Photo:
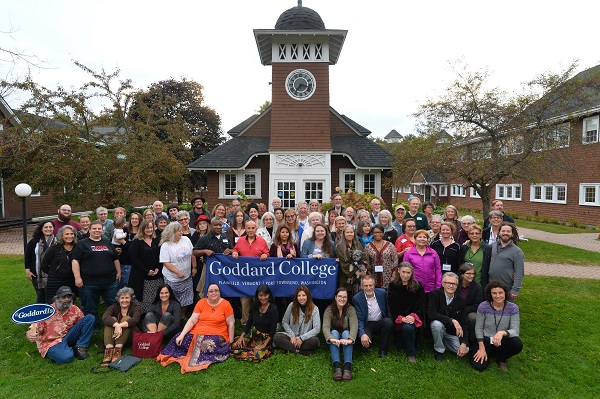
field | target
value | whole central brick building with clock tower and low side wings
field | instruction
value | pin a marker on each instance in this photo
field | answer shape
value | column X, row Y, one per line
column 300, row 148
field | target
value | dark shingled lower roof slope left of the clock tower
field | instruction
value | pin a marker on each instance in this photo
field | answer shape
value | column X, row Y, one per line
column 232, row 154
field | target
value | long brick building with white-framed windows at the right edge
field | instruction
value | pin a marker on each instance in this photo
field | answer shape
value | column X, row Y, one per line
column 574, row 190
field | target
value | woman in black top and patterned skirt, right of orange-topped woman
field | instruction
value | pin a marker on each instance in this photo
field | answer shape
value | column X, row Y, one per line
column 255, row 343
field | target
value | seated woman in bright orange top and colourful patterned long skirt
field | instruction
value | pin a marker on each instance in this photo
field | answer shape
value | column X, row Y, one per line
column 205, row 338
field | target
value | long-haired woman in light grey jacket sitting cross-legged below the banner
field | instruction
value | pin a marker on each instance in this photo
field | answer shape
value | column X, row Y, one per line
column 301, row 323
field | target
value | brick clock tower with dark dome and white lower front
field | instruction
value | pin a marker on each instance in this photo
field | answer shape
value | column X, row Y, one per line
column 300, row 50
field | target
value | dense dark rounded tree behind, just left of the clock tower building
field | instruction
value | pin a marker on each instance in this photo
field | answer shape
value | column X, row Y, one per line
column 185, row 125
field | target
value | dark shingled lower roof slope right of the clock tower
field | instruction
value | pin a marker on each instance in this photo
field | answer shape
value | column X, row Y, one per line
column 364, row 152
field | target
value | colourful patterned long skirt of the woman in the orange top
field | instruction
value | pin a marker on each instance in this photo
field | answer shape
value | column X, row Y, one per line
column 195, row 353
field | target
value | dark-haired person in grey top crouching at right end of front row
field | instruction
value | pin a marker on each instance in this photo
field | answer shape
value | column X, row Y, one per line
column 497, row 328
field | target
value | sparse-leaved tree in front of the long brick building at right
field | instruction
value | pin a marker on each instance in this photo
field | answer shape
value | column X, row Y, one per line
column 496, row 134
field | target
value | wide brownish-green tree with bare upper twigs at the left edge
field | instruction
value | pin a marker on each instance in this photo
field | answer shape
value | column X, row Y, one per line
column 67, row 147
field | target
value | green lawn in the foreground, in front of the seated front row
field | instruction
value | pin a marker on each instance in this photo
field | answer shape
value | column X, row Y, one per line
column 560, row 359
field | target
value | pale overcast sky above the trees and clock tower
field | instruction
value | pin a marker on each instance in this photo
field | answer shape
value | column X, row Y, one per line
column 397, row 54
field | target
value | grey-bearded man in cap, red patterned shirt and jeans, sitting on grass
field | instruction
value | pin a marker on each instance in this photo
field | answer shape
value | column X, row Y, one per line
column 67, row 328
